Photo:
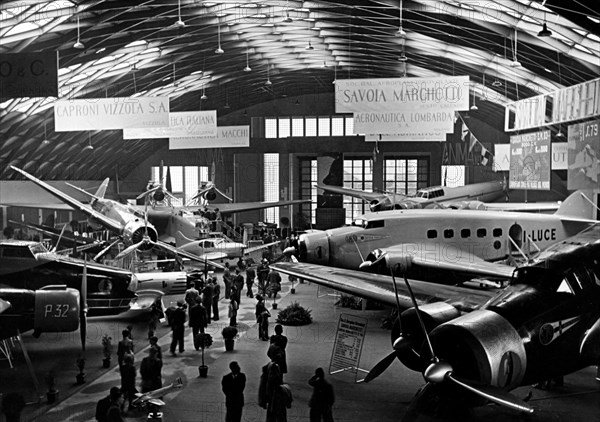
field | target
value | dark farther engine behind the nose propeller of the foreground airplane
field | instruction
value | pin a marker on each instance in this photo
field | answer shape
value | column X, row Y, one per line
column 412, row 338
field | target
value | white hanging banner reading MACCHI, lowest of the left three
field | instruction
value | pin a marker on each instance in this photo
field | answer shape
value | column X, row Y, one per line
column 227, row 137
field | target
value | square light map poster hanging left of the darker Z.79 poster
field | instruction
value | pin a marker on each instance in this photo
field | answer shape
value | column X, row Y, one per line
column 530, row 161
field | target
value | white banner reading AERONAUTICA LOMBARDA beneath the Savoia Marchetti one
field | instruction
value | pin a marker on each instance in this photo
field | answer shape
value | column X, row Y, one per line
column 408, row 123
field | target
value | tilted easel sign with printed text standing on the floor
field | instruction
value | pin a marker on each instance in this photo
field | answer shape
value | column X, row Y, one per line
column 347, row 347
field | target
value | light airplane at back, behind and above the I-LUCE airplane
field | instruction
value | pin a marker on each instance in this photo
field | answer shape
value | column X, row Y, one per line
column 462, row 197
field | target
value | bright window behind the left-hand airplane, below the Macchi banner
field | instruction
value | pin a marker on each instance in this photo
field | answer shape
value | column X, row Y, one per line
column 184, row 180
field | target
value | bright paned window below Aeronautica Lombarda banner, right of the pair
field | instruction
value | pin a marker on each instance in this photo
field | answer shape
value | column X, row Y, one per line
column 406, row 175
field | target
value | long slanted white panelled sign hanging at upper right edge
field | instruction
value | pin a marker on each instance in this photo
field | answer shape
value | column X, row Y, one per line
column 575, row 102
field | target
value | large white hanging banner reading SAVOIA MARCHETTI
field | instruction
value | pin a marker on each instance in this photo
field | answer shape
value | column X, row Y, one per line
column 402, row 94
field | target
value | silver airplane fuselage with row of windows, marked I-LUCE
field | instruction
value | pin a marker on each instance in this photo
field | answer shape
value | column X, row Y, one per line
column 436, row 235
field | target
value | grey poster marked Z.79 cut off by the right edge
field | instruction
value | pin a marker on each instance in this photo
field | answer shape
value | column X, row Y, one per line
column 584, row 156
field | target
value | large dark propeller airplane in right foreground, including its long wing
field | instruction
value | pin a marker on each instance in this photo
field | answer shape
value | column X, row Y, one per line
column 474, row 346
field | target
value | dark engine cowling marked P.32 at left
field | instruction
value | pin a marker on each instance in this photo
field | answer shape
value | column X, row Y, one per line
column 56, row 309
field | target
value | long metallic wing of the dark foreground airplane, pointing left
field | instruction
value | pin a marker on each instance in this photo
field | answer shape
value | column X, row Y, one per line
column 381, row 289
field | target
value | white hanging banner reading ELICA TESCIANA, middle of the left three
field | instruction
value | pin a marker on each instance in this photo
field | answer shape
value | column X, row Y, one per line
column 181, row 124
